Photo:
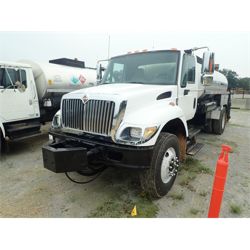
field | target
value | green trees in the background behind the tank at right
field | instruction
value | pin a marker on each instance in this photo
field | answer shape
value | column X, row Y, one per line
column 234, row 81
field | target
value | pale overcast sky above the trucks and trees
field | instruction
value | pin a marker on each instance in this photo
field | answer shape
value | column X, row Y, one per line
column 232, row 49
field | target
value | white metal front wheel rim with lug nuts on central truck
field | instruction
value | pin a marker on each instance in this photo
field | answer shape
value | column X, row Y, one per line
column 169, row 165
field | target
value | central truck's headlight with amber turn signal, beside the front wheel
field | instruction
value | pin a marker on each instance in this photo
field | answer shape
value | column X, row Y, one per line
column 136, row 134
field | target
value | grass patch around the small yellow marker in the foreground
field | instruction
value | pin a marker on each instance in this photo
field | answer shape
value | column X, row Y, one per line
column 121, row 207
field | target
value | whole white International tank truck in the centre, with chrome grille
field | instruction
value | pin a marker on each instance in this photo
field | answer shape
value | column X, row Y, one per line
column 144, row 115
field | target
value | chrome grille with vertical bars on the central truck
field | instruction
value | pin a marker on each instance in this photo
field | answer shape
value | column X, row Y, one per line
column 96, row 116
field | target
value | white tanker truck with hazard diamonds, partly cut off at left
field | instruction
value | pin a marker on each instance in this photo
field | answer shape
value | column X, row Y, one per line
column 30, row 93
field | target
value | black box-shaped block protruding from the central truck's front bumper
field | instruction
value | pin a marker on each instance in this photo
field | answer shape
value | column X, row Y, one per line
column 59, row 158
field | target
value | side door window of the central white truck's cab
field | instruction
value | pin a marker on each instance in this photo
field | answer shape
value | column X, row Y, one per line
column 188, row 70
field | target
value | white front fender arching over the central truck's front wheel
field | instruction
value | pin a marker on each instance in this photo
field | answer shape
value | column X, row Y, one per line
column 155, row 115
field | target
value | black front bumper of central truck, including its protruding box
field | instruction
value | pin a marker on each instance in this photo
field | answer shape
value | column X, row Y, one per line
column 73, row 153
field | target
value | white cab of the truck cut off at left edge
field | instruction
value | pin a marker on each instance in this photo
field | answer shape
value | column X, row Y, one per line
column 18, row 100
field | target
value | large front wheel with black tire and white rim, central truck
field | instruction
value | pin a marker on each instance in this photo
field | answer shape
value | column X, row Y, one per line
column 159, row 178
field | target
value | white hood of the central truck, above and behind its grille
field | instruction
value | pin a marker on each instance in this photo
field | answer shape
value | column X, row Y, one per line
column 141, row 99
